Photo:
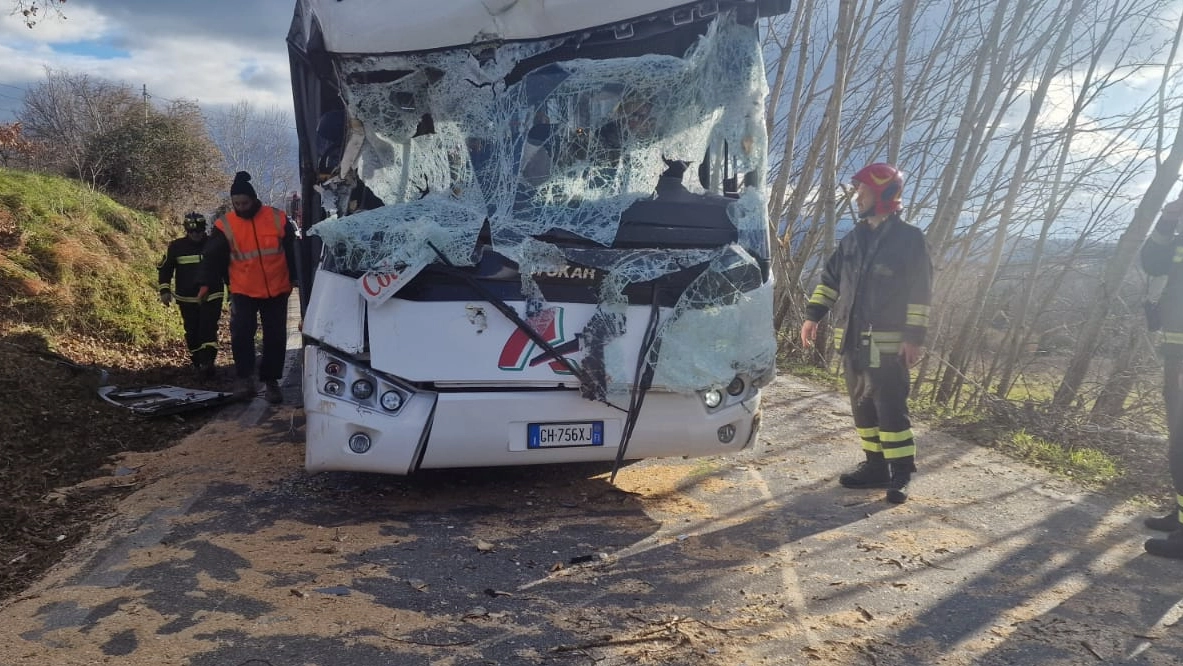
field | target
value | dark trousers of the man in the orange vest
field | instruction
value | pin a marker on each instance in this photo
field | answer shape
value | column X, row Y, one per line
column 245, row 316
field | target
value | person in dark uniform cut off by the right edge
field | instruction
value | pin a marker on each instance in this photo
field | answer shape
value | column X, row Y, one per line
column 1162, row 256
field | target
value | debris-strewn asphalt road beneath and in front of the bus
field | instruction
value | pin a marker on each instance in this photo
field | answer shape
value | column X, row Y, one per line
column 230, row 555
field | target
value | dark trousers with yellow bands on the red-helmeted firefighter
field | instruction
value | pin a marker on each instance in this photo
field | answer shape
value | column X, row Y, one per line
column 880, row 404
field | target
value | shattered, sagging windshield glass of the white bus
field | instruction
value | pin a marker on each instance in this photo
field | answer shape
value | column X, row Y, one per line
column 551, row 152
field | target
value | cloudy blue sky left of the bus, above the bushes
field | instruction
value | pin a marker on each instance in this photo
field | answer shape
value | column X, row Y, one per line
column 217, row 53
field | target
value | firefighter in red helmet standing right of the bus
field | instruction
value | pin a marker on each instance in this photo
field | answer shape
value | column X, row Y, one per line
column 883, row 274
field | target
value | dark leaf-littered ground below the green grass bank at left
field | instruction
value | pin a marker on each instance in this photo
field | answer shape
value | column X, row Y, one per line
column 60, row 435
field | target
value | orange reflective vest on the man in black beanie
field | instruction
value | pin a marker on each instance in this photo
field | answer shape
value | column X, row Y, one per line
column 257, row 264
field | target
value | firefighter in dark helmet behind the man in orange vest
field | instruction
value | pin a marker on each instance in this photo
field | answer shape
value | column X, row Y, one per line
column 183, row 262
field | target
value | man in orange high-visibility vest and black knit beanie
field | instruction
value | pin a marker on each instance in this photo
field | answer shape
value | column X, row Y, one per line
column 254, row 245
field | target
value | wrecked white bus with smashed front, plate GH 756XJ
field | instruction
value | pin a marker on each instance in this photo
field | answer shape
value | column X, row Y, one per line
column 533, row 232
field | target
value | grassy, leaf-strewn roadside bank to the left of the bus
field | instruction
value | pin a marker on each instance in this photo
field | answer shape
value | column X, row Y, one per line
column 77, row 295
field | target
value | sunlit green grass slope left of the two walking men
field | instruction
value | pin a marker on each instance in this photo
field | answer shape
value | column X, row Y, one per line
column 75, row 263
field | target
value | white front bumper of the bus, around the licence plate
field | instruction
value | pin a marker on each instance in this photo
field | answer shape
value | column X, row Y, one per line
column 494, row 429
